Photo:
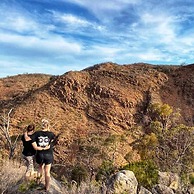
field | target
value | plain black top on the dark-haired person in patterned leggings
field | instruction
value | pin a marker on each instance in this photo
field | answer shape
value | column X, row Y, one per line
column 28, row 149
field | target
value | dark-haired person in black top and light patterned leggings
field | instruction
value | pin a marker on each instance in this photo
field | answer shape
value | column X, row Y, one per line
column 28, row 150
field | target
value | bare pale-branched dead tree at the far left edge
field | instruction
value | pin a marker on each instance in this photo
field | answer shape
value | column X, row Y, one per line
column 5, row 132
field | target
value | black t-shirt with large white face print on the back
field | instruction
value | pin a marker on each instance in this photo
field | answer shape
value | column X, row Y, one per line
column 43, row 139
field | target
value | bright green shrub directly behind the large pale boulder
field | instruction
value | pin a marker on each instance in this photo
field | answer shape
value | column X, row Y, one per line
column 145, row 171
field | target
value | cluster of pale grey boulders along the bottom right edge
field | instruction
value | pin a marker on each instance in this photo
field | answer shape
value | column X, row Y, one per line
column 126, row 182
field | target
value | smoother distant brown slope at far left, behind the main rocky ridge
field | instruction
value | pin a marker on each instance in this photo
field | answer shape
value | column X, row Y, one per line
column 15, row 89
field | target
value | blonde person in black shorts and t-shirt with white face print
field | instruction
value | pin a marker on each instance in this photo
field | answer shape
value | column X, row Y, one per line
column 42, row 142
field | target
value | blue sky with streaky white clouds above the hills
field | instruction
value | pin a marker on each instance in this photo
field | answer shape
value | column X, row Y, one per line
column 56, row 36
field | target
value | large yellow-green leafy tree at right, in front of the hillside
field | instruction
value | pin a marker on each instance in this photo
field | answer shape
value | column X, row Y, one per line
column 169, row 144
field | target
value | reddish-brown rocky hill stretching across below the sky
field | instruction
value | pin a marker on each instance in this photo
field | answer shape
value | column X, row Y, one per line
column 101, row 100
